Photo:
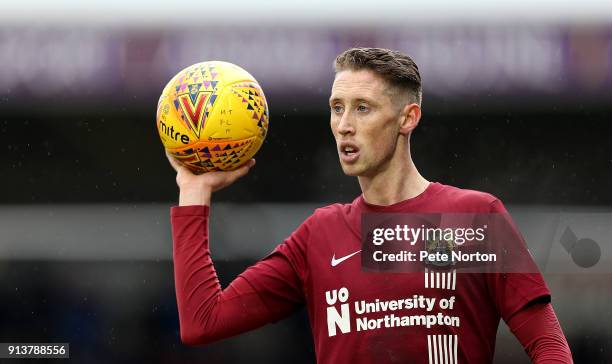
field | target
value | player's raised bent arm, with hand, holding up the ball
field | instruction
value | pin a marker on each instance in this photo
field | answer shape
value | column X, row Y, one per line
column 264, row 293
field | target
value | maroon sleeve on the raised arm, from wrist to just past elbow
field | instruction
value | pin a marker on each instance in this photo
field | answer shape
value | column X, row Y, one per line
column 207, row 313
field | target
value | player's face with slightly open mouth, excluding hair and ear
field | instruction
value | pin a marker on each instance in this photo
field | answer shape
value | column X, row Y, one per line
column 364, row 120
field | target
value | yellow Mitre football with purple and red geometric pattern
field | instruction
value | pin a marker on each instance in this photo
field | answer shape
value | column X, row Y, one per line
column 212, row 116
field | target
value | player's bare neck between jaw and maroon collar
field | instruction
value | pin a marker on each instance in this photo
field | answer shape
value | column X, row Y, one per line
column 395, row 184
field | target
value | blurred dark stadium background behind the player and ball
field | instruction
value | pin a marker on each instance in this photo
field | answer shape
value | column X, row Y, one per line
column 517, row 102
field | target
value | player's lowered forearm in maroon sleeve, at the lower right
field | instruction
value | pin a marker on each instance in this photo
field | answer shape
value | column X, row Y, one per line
column 538, row 330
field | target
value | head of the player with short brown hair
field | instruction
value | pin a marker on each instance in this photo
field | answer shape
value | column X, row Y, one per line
column 375, row 104
